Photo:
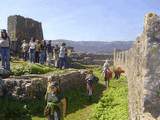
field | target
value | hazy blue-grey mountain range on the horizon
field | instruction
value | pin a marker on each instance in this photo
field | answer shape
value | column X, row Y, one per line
column 96, row 47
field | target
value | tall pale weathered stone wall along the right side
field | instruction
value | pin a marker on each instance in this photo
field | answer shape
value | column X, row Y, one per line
column 142, row 66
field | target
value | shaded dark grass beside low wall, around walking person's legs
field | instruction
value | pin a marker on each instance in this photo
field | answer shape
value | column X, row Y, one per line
column 78, row 99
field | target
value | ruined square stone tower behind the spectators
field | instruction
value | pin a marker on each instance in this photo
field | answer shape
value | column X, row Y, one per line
column 20, row 28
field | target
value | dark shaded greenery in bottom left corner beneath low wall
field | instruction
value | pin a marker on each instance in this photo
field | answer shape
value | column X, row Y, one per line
column 13, row 109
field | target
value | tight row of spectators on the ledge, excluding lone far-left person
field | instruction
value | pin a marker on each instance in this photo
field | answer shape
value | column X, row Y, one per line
column 41, row 52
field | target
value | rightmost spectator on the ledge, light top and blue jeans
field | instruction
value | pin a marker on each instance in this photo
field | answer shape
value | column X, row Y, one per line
column 62, row 56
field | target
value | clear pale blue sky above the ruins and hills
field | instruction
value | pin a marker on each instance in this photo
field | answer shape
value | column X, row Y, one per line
column 96, row 20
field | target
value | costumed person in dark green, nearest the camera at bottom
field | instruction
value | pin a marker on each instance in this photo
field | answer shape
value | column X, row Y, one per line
column 56, row 103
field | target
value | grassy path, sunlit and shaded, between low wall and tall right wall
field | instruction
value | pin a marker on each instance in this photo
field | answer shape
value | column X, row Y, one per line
column 112, row 105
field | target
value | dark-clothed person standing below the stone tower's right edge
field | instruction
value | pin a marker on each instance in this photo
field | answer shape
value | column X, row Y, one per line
column 42, row 53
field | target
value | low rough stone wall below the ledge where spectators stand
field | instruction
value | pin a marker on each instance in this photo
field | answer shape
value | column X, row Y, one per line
column 34, row 86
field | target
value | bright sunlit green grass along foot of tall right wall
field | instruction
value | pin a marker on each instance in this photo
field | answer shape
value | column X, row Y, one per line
column 114, row 103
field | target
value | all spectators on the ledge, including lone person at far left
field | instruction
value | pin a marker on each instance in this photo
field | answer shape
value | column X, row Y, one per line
column 35, row 51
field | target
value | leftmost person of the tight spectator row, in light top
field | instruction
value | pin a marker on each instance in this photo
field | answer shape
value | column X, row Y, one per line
column 25, row 47
